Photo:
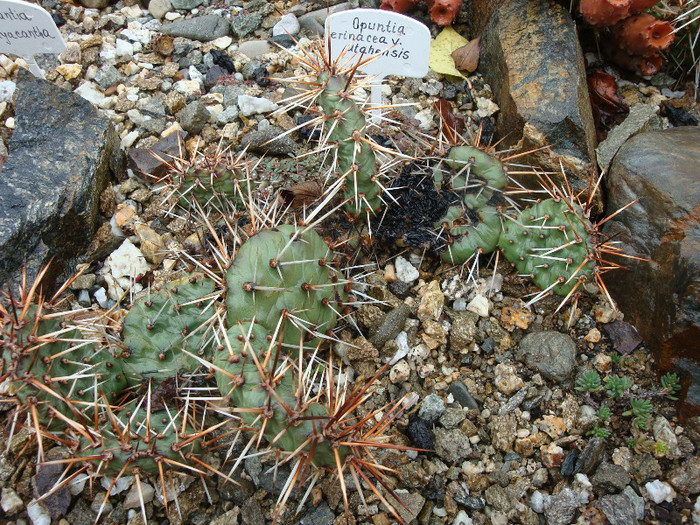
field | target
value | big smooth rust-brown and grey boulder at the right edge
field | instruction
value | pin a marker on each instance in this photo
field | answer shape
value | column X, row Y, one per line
column 660, row 296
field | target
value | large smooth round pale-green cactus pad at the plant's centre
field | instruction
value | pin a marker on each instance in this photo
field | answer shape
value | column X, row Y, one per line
column 274, row 276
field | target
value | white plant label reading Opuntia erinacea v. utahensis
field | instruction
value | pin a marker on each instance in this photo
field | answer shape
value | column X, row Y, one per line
column 386, row 43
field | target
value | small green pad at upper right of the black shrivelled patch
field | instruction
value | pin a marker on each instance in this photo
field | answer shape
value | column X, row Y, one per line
column 484, row 175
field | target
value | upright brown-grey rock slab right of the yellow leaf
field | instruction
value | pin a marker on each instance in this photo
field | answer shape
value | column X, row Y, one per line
column 531, row 58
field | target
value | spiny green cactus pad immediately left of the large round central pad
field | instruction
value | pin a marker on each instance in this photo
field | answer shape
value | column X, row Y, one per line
column 159, row 327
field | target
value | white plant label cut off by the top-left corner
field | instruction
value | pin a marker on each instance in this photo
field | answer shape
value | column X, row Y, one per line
column 27, row 29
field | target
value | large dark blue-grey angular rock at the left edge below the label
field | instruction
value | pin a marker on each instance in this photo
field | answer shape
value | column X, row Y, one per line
column 59, row 163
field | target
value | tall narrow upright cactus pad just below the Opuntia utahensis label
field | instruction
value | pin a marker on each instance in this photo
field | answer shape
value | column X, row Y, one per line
column 356, row 158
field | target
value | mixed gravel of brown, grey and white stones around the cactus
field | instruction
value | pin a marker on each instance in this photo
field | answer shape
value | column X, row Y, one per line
column 510, row 438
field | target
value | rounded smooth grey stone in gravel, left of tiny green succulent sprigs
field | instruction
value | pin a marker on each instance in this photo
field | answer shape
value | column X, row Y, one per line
column 553, row 354
